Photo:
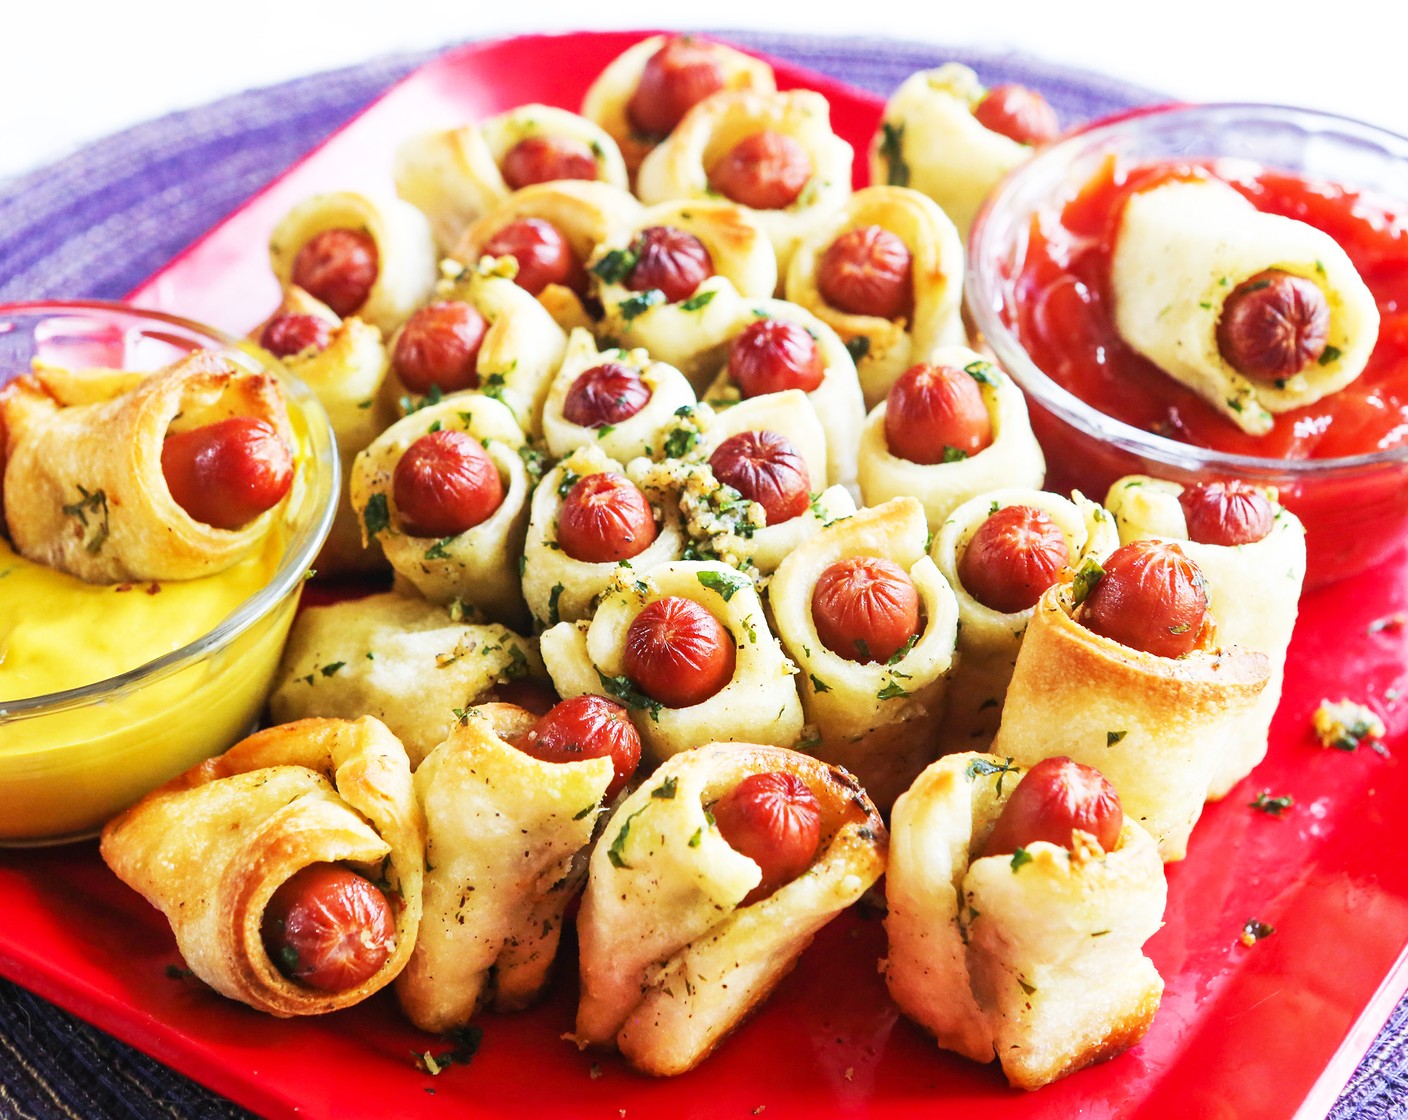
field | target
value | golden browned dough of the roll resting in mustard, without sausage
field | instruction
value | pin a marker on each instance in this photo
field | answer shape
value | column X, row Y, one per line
column 84, row 484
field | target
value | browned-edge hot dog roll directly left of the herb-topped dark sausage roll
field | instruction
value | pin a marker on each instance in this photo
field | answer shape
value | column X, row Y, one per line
column 551, row 230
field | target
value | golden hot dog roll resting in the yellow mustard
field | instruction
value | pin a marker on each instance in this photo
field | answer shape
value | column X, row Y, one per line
column 175, row 475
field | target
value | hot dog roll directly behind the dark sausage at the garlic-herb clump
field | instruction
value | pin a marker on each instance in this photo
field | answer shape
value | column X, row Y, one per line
column 777, row 347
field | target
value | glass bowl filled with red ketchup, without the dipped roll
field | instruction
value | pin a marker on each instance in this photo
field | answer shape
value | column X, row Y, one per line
column 1040, row 294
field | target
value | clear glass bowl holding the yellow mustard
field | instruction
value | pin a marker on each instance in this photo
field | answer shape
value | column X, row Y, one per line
column 71, row 760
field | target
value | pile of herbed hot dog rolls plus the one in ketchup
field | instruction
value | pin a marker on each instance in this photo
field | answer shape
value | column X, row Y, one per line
column 716, row 547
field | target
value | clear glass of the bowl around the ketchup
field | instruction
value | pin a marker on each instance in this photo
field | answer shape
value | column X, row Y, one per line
column 1355, row 508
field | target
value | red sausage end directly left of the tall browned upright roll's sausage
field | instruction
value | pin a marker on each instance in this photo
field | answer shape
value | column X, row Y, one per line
column 1012, row 559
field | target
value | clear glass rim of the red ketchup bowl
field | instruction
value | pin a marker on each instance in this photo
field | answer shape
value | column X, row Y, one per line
column 981, row 297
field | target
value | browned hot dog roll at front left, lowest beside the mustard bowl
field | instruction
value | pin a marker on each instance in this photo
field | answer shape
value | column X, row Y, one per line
column 254, row 854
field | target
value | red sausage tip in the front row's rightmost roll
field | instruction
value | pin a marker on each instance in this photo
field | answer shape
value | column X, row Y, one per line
column 1055, row 798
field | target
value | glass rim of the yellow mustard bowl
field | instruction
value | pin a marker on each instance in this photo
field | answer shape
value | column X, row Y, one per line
column 299, row 553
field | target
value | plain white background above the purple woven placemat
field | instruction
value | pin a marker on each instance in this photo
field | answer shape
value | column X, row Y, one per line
column 81, row 70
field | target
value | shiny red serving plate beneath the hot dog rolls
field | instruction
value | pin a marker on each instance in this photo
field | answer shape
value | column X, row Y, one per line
column 1265, row 1032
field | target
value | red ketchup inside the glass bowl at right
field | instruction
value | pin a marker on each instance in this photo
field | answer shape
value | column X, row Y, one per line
column 1061, row 309
